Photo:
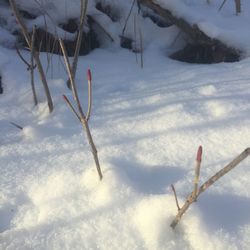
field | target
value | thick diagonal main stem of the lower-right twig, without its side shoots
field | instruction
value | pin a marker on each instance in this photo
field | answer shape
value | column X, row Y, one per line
column 191, row 198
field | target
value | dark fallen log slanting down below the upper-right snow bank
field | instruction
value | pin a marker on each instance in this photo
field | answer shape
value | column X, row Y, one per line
column 216, row 50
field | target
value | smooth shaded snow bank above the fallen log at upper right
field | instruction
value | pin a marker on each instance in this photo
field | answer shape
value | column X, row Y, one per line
column 223, row 24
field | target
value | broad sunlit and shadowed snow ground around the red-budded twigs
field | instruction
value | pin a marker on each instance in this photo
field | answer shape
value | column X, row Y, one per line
column 147, row 125
